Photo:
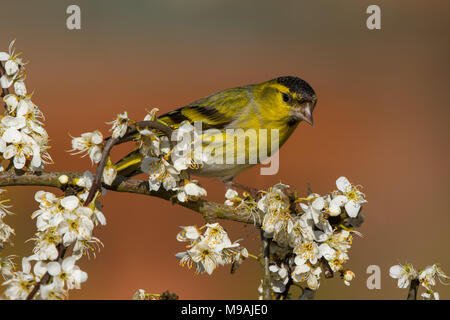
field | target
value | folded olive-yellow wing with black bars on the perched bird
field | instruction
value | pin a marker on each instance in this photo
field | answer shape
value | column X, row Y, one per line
column 215, row 111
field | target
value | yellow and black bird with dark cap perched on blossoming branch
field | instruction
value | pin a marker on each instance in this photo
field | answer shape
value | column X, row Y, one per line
column 280, row 104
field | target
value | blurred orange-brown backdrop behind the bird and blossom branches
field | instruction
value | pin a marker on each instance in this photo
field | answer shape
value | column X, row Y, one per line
column 381, row 120
